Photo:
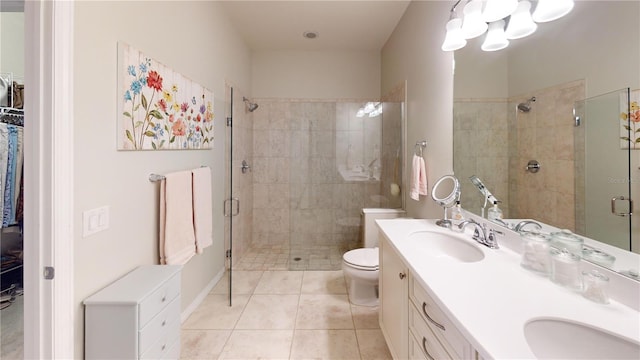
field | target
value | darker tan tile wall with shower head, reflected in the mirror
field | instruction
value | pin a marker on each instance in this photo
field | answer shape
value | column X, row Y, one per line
column 546, row 134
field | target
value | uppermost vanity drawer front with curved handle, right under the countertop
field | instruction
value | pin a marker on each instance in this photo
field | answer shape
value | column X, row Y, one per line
column 438, row 322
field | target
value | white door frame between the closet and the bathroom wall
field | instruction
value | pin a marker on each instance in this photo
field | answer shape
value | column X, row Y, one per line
column 48, row 184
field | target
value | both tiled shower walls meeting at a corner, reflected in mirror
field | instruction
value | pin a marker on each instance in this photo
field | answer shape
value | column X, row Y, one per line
column 495, row 141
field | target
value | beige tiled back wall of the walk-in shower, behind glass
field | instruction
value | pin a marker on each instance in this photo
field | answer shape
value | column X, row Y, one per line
column 300, row 200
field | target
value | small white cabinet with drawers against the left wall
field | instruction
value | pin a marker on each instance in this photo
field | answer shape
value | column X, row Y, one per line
column 136, row 317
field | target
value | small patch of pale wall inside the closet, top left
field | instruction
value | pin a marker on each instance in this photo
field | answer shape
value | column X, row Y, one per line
column 12, row 44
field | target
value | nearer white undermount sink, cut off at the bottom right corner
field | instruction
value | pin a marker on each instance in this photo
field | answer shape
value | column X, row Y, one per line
column 553, row 338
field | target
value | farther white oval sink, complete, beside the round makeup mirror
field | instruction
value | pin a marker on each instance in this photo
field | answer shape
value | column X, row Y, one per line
column 441, row 245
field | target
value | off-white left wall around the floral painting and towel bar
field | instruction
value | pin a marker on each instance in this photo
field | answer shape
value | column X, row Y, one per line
column 193, row 38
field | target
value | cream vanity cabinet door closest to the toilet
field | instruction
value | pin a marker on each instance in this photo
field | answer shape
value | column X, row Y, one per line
column 394, row 300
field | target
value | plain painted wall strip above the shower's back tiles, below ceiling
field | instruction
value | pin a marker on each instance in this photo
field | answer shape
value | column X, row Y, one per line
column 316, row 74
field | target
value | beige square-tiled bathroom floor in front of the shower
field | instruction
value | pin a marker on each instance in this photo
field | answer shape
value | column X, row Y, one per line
column 283, row 315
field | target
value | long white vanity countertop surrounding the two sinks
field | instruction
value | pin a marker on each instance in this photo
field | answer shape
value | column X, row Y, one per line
column 491, row 300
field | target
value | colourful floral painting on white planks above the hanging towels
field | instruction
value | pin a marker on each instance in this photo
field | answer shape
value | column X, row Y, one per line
column 159, row 109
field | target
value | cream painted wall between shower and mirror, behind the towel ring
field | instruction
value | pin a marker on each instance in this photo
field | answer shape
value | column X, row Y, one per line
column 413, row 53
